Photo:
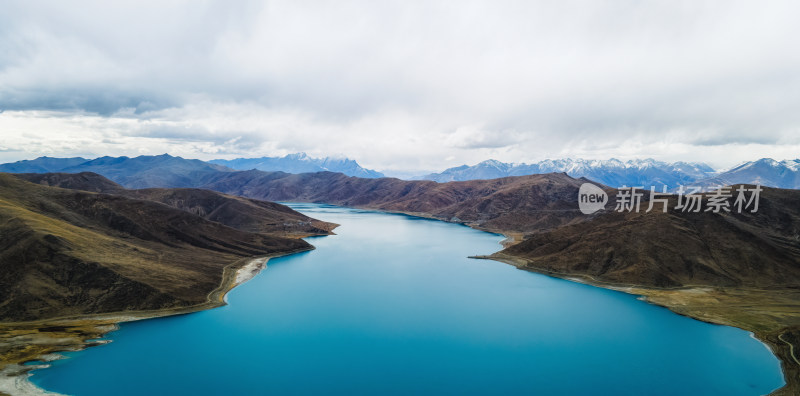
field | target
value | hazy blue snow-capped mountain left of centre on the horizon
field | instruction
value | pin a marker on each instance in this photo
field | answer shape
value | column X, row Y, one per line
column 300, row 163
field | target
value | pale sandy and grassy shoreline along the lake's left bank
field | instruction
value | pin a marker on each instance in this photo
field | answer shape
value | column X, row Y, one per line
column 81, row 332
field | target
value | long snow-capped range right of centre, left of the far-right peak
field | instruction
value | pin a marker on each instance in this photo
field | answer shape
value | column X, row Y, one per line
column 612, row 172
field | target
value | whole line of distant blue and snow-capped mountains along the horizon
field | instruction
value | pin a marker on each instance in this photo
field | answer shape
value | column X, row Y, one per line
column 168, row 171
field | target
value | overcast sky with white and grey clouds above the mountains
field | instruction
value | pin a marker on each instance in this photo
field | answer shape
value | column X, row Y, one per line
column 403, row 85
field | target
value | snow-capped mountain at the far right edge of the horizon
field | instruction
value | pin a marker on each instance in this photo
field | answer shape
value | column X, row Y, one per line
column 766, row 172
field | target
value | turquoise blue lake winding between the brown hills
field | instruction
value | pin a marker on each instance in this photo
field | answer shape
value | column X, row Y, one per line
column 392, row 305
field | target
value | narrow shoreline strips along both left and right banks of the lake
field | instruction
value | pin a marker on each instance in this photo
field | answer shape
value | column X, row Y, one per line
column 236, row 274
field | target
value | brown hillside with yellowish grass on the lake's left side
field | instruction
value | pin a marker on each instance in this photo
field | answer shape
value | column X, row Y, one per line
column 71, row 252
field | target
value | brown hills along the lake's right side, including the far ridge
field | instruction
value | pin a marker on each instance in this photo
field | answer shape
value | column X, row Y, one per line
column 734, row 269
